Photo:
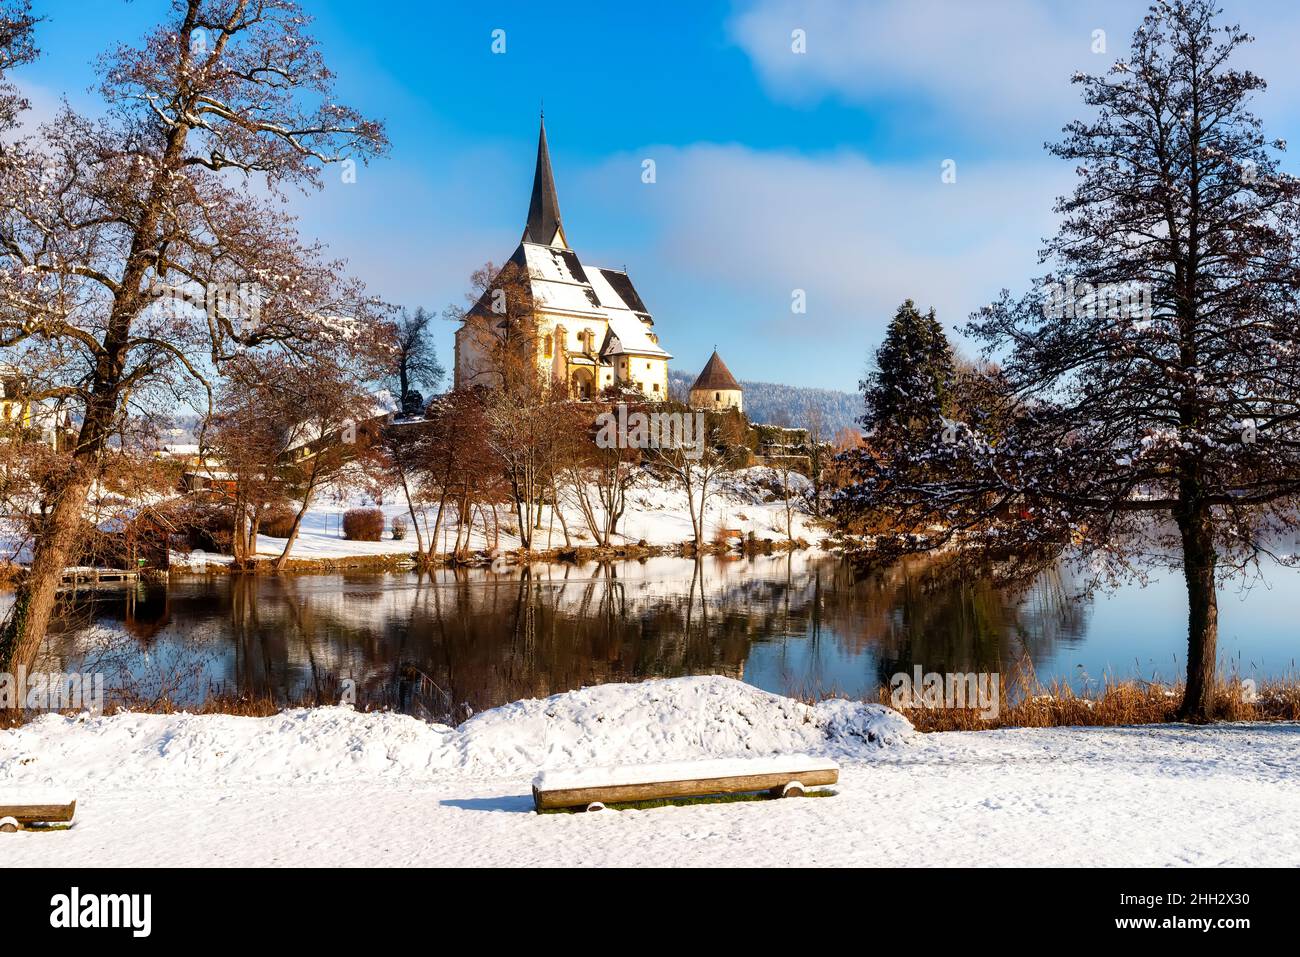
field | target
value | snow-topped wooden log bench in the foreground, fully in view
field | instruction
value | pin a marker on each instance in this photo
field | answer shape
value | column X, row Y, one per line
column 787, row 776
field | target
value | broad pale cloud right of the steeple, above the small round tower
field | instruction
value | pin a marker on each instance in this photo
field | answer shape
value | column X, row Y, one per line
column 739, row 229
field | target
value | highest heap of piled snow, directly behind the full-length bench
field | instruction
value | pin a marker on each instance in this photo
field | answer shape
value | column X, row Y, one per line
column 674, row 720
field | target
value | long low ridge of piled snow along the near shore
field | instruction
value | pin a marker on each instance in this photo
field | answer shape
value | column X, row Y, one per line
column 677, row 720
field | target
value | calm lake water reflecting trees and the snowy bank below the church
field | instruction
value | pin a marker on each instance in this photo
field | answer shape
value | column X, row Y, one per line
column 460, row 642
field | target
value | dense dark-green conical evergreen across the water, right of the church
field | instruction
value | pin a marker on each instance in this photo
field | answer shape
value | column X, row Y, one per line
column 912, row 384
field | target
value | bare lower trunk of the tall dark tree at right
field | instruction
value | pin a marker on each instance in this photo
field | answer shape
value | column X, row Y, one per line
column 1199, row 562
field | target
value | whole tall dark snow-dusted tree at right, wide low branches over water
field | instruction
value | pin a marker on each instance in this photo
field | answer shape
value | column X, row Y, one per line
column 1151, row 389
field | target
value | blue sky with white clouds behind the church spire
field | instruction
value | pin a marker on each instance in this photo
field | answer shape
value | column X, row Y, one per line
column 775, row 171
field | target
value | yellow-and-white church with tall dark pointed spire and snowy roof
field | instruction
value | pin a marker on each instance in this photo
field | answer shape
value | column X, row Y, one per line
column 590, row 328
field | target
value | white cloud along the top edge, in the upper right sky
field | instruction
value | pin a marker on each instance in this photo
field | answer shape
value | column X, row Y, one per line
column 980, row 70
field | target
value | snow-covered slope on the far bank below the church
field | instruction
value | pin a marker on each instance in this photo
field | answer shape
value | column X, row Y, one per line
column 747, row 501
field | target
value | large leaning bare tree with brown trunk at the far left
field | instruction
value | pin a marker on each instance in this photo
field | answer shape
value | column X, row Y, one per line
column 99, row 218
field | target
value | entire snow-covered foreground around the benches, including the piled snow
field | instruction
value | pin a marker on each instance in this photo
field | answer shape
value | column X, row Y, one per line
column 333, row 787
